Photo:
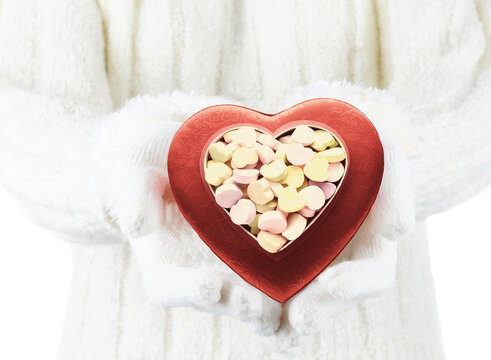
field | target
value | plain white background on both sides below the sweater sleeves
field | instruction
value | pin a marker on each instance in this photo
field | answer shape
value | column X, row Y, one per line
column 35, row 279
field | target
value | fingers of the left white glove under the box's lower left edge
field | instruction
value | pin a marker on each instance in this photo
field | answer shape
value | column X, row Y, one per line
column 215, row 289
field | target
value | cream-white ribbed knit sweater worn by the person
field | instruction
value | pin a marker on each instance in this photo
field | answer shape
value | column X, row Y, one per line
column 67, row 66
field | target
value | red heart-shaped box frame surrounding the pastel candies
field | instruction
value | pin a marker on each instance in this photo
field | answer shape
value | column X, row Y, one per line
column 283, row 274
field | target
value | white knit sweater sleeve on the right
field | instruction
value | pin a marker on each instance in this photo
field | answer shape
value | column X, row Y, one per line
column 436, row 61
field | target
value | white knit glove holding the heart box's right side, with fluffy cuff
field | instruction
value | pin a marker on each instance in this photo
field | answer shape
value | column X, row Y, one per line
column 366, row 267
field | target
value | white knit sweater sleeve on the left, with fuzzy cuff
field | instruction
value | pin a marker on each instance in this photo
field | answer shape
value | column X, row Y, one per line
column 59, row 135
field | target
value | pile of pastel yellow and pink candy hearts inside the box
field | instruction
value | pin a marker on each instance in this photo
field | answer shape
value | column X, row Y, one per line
column 274, row 188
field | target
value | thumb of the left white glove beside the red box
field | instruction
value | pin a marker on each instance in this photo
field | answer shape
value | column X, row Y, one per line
column 138, row 178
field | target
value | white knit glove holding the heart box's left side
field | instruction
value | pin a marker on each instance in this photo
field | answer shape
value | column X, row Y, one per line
column 177, row 268
